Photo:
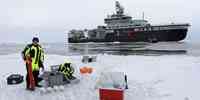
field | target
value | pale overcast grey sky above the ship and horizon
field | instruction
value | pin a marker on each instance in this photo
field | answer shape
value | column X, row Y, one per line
column 20, row 18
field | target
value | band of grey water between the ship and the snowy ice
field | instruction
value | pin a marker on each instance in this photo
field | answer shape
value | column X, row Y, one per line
column 140, row 48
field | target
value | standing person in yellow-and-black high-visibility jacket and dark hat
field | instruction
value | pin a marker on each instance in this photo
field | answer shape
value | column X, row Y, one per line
column 36, row 53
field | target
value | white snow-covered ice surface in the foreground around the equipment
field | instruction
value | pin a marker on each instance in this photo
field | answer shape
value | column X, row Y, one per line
column 174, row 77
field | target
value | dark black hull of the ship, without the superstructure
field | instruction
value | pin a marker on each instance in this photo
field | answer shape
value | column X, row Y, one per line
column 130, row 35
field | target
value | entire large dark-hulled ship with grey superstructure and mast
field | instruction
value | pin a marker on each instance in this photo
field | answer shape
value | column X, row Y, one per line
column 122, row 28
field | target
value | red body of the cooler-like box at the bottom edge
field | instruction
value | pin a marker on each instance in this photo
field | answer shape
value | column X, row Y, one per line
column 111, row 94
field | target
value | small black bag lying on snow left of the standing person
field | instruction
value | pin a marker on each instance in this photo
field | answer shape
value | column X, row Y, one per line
column 15, row 79
